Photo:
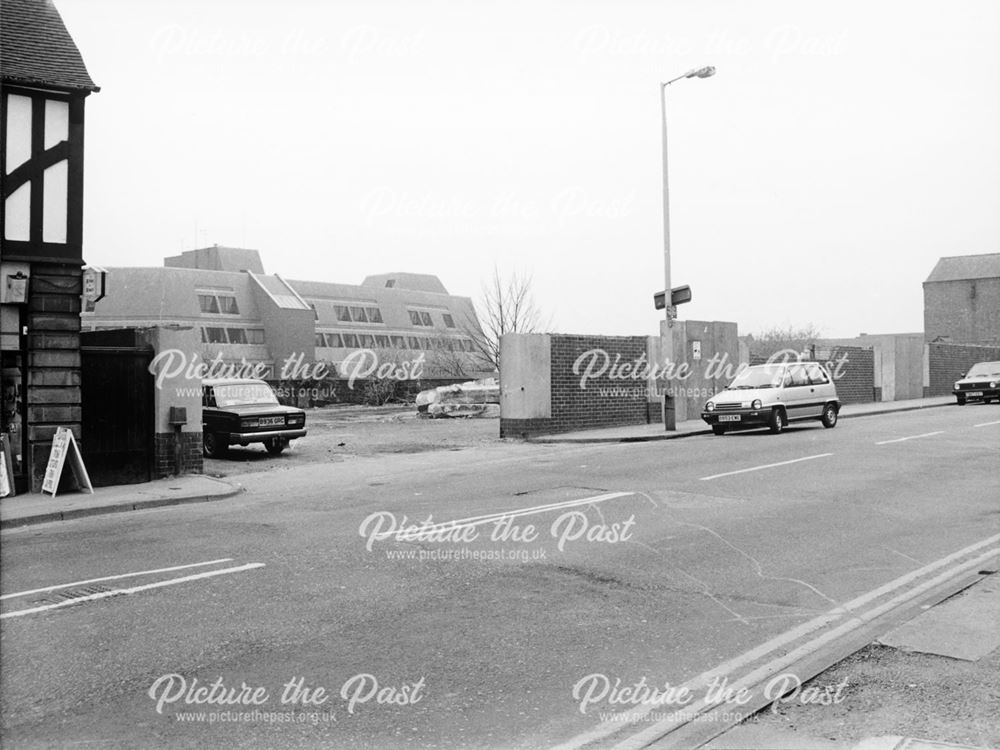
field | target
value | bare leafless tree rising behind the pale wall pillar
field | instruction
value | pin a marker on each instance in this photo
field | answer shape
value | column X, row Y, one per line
column 507, row 305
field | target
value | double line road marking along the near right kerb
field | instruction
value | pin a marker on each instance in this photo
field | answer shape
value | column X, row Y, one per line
column 606, row 729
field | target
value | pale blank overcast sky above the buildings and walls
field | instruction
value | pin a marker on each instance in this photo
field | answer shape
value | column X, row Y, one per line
column 840, row 149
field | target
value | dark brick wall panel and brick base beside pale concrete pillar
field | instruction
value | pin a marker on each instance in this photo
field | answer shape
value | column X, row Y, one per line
column 605, row 402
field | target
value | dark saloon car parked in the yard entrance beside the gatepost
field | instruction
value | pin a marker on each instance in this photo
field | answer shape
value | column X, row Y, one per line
column 243, row 411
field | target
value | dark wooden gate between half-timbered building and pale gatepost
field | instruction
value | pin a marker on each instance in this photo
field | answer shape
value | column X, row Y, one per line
column 117, row 401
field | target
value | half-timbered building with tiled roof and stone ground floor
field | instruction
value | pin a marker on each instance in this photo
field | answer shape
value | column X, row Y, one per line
column 44, row 86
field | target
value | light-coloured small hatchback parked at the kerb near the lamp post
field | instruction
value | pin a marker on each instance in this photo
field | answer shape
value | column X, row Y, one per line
column 772, row 396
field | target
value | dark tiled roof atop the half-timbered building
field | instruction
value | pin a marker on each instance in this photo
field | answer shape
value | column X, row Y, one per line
column 36, row 48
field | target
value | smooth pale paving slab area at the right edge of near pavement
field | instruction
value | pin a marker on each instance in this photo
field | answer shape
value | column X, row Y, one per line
column 967, row 626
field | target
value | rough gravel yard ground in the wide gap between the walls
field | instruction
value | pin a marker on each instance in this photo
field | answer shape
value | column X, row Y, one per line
column 337, row 433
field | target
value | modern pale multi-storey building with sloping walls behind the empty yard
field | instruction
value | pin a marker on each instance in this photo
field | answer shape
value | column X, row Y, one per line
column 245, row 315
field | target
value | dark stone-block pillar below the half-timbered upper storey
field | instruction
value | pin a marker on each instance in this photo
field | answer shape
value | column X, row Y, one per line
column 53, row 397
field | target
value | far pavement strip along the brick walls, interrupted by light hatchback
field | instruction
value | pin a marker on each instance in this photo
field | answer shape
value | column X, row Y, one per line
column 646, row 432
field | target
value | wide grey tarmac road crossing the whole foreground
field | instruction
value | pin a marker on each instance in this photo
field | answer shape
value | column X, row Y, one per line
column 644, row 561
